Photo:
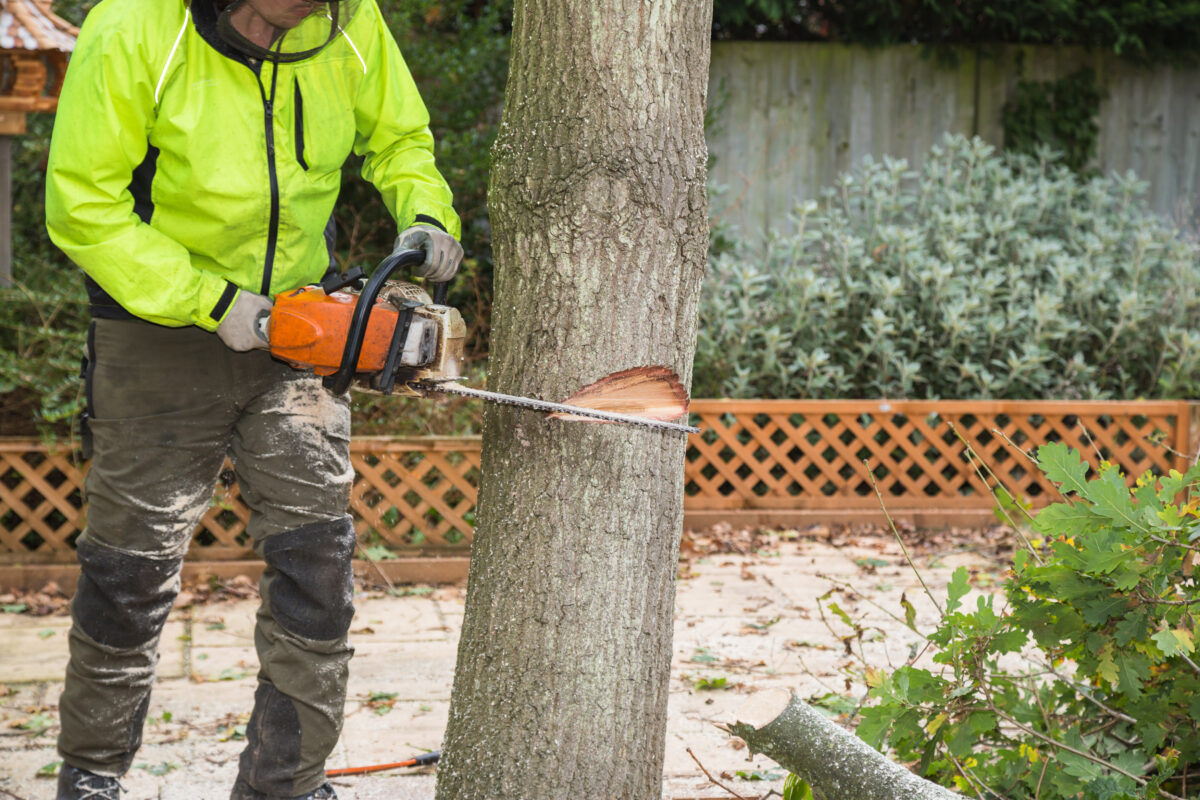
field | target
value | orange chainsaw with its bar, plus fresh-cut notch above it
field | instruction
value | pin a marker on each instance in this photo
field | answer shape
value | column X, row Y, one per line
column 394, row 339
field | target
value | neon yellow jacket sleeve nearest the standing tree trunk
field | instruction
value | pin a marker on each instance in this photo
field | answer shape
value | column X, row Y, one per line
column 394, row 136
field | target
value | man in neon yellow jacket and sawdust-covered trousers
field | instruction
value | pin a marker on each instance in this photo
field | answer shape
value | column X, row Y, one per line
column 194, row 170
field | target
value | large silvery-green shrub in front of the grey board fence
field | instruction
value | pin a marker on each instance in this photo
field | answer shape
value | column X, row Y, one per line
column 983, row 276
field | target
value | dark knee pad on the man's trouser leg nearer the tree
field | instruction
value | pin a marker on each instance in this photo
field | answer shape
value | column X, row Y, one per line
column 313, row 594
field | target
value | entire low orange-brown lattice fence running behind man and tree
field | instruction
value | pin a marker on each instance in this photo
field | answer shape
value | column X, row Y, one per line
column 418, row 495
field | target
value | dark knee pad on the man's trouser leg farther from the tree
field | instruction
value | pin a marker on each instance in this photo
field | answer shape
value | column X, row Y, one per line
column 123, row 600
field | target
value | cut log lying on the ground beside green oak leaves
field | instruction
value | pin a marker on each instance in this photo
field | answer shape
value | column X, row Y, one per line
column 836, row 763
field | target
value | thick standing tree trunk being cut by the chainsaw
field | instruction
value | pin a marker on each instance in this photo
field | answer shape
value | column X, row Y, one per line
column 599, row 208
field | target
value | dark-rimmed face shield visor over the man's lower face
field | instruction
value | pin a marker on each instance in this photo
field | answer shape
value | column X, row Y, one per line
column 299, row 29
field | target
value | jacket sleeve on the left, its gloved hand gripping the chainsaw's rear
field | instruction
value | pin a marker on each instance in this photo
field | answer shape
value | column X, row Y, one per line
column 101, row 131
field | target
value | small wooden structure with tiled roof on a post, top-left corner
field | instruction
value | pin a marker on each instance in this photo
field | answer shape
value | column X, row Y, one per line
column 34, row 49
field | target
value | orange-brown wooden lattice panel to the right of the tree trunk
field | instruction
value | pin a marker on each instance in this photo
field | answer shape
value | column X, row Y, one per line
column 830, row 455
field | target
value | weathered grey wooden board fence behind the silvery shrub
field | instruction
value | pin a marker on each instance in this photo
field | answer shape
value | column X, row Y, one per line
column 791, row 117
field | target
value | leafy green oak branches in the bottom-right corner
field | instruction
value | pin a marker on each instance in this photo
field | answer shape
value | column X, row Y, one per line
column 1103, row 609
